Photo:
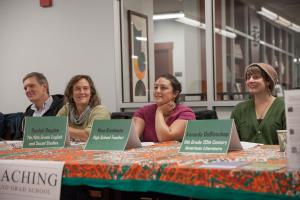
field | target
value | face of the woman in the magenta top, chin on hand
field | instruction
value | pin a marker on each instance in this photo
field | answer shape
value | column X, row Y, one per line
column 163, row 91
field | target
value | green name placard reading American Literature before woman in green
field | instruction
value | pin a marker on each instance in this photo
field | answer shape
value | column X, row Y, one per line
column 210, row 136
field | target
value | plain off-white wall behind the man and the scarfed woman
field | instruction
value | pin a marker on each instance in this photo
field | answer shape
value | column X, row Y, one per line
column 71, row 37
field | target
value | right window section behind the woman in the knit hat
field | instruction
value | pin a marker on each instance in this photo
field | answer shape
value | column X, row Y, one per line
column 248, row 37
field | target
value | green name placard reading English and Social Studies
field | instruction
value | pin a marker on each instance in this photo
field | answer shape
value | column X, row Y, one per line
column 45, row 132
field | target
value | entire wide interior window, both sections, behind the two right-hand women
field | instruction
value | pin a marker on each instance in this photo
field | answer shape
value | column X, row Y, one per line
column 177, row 45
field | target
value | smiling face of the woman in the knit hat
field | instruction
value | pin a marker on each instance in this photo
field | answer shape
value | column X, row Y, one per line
column 255, row 82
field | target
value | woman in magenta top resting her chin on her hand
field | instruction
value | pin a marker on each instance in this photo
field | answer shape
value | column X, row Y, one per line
column 166, row 119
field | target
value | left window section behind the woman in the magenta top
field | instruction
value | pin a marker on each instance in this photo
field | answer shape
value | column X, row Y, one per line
column 177, row 45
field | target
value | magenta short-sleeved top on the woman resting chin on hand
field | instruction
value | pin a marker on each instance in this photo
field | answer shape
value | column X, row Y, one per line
column 147, row 113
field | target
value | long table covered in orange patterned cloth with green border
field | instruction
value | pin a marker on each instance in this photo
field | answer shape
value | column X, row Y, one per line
column 160, row 168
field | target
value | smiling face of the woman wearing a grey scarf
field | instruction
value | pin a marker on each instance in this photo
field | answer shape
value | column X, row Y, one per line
column 81, row 93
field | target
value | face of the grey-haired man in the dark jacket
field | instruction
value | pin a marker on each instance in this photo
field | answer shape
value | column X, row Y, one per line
column 35, row 91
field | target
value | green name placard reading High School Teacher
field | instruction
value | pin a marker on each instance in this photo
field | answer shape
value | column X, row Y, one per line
column 118, row 135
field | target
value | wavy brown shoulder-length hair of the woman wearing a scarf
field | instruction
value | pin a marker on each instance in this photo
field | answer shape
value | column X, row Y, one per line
column 94, row 100
